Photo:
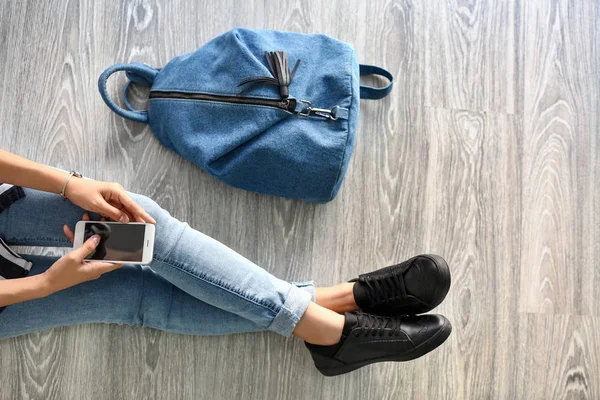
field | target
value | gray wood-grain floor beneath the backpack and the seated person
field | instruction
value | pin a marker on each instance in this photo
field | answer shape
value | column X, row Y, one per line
column 486, row 152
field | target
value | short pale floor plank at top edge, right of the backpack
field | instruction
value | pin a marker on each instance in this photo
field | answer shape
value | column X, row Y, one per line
column 470, row 53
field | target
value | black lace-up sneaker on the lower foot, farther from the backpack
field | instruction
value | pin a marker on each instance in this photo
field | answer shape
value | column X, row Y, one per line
column 368, row 339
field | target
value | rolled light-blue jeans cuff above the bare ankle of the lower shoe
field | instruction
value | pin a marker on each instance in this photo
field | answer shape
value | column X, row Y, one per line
column 296, row 303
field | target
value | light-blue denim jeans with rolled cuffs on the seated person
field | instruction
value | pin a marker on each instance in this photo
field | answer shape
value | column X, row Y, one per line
column 194, row 285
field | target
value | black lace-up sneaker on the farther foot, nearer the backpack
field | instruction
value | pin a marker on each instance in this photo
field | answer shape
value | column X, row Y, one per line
column 414, row 286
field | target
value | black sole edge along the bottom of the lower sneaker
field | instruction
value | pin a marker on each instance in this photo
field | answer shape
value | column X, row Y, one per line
column 431, row 344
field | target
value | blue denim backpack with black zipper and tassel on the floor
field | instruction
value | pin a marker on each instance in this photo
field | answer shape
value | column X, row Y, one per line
column 266, row 111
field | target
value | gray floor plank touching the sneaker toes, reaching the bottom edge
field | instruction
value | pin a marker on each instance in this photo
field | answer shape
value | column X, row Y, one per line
column 471, row 213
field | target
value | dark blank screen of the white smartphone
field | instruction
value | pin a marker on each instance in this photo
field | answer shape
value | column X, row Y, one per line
column 118, row 242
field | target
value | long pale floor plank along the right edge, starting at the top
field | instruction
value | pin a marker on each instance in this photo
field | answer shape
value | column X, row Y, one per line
column 560, row 160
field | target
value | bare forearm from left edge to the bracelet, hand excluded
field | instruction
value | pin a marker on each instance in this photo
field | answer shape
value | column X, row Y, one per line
column 22, row 172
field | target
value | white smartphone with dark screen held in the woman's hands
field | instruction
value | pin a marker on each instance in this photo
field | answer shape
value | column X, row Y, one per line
column 131, row 243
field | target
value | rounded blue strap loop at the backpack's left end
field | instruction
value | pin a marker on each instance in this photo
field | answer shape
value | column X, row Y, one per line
column 136, row 72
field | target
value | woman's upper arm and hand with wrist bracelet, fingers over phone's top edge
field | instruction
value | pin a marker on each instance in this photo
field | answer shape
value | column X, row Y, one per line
column 107, row 199
